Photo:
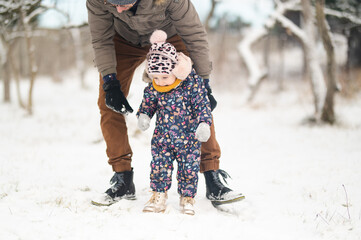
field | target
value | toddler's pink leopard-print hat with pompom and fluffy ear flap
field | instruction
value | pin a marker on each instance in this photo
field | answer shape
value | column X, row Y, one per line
column 164, row 59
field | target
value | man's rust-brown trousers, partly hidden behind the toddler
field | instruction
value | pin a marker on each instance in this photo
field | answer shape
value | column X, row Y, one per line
column 113, row 124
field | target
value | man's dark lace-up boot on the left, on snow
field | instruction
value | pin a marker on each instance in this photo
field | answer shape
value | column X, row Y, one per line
column 123, row 188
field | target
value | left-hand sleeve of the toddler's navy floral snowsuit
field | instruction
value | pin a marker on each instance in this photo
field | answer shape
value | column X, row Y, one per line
column 149, row 102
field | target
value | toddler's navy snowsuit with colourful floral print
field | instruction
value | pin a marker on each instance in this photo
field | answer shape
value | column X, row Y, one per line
column 179, row 113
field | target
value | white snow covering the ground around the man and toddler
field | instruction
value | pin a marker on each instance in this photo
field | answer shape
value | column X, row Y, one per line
column 295, row 177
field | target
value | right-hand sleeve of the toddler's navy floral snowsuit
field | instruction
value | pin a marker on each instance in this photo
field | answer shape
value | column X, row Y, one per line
column 200, row 101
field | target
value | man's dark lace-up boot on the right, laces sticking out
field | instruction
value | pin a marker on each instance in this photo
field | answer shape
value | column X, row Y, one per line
column 216, row 191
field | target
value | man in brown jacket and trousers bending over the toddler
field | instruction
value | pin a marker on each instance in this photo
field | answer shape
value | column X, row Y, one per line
column 120, row 31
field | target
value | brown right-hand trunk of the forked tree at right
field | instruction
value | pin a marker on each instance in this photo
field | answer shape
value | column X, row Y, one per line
column 327, row 114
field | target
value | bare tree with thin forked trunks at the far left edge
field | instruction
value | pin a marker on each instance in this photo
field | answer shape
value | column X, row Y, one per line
column 16, row 22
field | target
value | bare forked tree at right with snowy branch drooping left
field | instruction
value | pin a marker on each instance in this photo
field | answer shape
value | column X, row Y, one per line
column 323, row 92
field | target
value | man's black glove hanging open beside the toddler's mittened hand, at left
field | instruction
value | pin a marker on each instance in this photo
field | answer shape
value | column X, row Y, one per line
column 114, row 97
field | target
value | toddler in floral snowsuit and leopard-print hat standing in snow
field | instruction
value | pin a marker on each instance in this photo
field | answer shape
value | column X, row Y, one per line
column 178, row 97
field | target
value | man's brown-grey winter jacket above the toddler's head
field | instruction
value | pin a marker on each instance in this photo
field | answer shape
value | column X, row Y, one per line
column 172, row 16
